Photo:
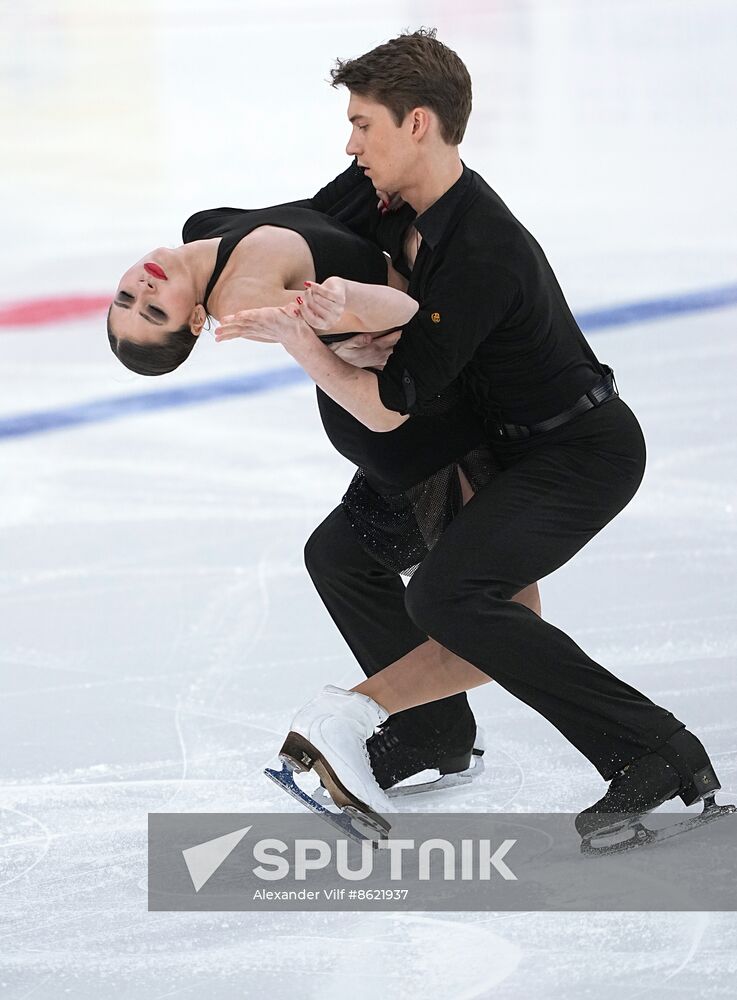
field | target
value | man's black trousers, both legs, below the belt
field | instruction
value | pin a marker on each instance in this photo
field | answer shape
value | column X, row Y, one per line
column 554, row 493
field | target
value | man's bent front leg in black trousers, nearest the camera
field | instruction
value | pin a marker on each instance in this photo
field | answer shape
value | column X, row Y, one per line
column 527, row 522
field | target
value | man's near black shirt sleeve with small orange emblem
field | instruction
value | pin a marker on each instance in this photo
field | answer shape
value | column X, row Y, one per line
column 465, row 300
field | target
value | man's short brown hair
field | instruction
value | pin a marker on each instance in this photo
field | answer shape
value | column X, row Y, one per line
column 411, row 71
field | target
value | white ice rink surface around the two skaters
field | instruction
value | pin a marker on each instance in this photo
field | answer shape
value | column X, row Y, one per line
column 158, row 627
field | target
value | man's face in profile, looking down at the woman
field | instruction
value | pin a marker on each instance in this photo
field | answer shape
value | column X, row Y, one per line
column 385, row 149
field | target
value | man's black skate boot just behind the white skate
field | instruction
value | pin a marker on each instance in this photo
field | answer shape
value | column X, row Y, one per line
column 401, row 749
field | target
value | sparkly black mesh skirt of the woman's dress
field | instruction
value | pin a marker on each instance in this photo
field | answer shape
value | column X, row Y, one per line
column 399, row 529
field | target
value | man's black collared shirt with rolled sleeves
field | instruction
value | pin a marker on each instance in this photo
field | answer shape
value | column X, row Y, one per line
column 492, row 316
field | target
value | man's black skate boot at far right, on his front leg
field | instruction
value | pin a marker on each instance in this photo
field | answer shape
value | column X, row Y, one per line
column 680, row 767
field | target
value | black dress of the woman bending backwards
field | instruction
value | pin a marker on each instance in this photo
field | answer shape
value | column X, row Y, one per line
column 406, row 489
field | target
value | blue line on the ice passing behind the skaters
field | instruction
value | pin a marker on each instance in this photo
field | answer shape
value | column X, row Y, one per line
column 97, row 411
